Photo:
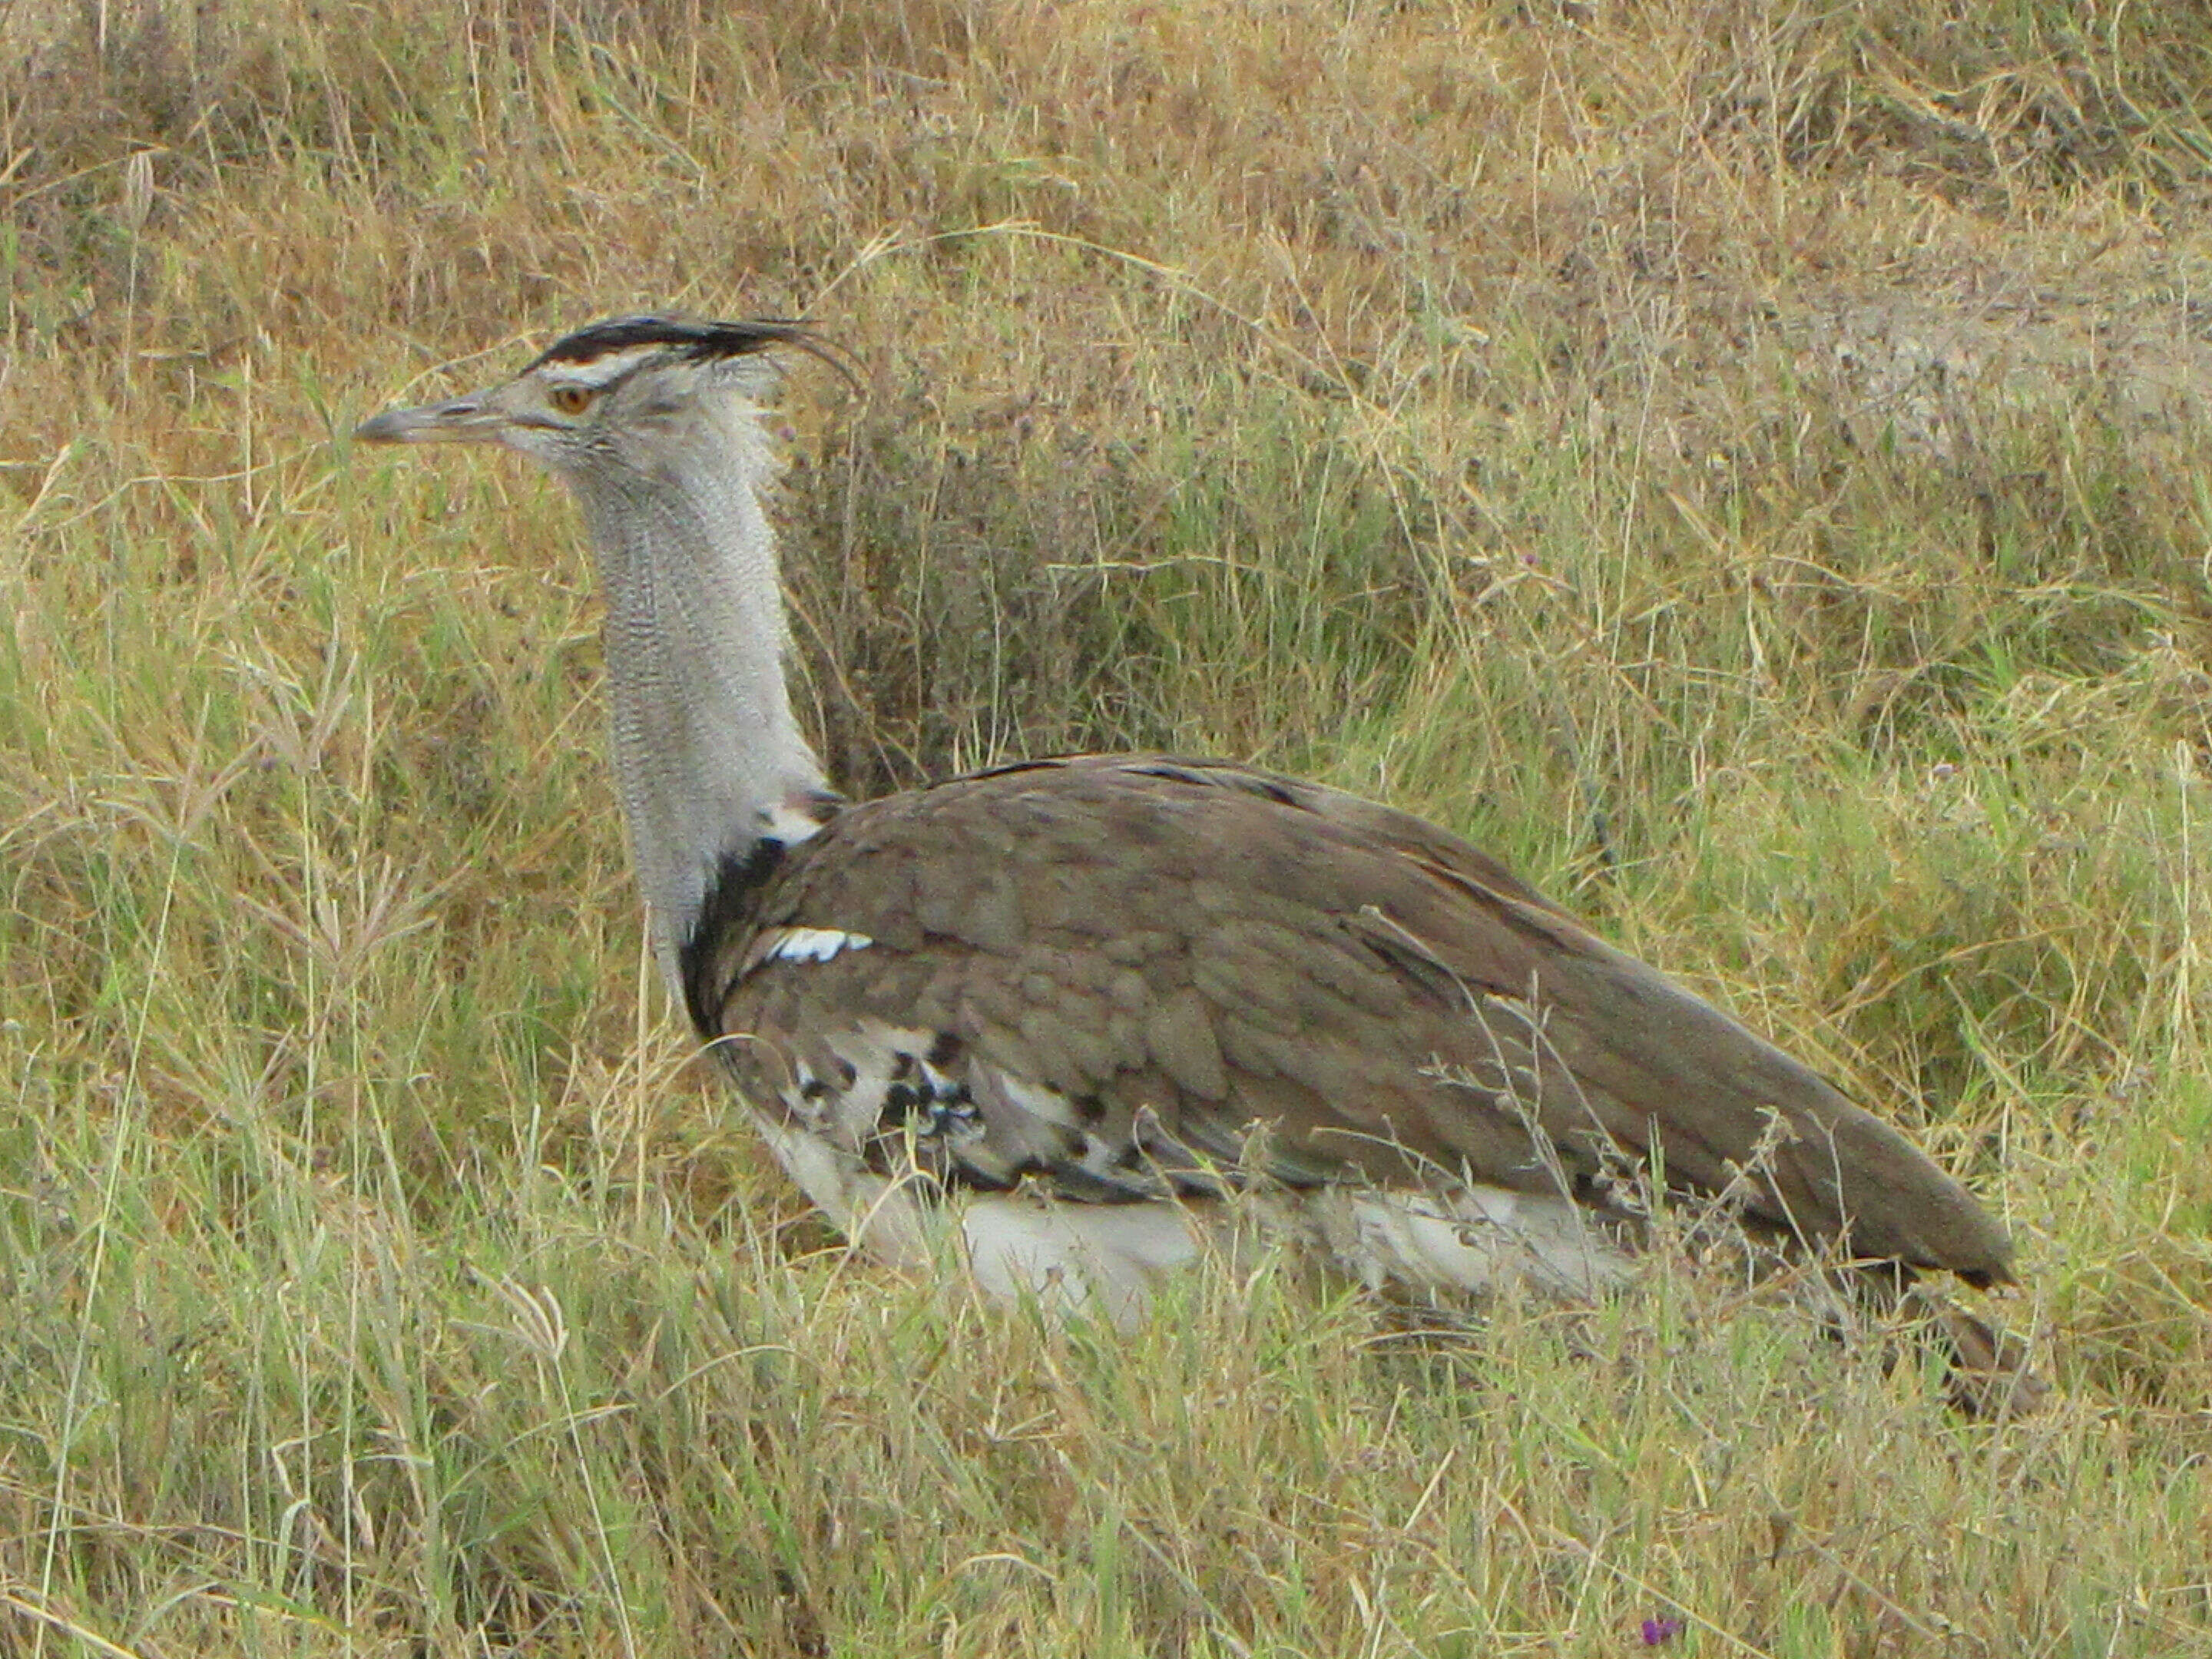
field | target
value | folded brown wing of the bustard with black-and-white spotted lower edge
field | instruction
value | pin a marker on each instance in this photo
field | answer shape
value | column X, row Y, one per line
column 1125, row 966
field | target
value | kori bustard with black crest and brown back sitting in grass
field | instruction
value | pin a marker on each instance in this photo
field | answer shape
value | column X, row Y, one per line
column 1058, row 1012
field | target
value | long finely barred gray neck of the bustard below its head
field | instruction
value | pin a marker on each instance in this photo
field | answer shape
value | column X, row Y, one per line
column 707, row 753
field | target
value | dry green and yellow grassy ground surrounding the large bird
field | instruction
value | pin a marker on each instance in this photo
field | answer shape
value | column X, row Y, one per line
column 1742, row 461
